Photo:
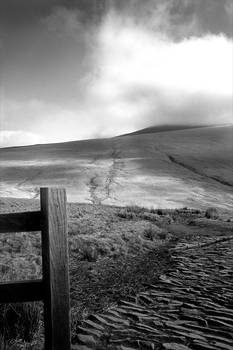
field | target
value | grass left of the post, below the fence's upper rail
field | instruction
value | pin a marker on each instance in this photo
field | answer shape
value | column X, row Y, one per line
column 21, row 325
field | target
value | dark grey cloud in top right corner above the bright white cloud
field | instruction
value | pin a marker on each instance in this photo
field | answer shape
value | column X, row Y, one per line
column 181, row 18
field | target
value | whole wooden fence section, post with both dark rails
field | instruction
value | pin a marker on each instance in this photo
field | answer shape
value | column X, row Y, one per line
column 53, row 288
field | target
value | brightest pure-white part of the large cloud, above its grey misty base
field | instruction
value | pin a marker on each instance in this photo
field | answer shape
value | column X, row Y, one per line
column 132, row 56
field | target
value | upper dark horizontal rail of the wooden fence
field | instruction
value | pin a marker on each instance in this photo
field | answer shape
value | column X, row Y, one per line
column 20, row 222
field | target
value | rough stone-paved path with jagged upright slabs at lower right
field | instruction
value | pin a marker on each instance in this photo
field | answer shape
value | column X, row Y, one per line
column 190, row 308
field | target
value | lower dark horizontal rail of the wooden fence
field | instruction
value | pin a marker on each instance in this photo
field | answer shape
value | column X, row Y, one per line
column 15, row 292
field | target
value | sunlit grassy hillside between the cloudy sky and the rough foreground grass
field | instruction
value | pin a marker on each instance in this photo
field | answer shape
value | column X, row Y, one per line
column 189, row 167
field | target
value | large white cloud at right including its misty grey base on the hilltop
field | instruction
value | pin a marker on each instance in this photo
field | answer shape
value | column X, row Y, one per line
column 146, row 78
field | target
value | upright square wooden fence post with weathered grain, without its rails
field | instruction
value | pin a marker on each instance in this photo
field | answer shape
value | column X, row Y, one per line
column 55, row 269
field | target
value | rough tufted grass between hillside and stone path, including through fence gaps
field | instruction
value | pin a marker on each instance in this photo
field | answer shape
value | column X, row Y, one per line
column 114, row 253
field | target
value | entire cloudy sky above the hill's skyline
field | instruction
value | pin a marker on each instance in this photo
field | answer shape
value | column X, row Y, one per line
column 80, row 69
